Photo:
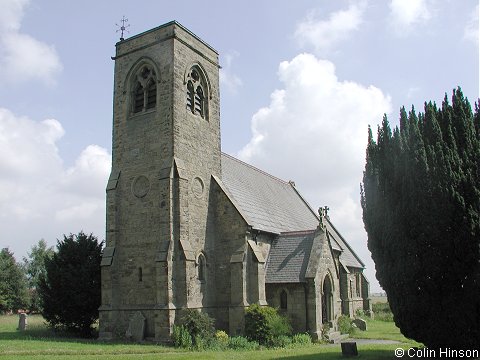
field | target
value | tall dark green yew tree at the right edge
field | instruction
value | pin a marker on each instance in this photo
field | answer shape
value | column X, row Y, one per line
column 421, row 210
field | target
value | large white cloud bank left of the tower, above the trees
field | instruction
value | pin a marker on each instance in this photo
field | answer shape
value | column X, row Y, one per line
column 39, row 196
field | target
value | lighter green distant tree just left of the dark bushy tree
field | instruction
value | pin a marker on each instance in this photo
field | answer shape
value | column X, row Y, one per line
column 34, row 267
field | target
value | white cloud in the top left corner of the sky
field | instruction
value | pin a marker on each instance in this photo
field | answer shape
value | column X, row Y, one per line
column 23, row 57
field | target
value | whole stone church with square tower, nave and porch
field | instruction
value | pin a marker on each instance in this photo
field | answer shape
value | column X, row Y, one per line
column 188, row 226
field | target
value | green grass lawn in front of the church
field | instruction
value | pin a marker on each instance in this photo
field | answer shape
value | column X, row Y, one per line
column 38, row 343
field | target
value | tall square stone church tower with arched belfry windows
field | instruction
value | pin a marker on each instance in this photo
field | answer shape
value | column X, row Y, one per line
column 165, row 150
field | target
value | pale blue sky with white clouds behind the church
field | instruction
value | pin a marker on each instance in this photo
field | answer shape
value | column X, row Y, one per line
column 300, row 83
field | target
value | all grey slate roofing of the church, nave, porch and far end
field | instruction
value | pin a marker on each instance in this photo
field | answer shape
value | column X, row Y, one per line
column 273, row 205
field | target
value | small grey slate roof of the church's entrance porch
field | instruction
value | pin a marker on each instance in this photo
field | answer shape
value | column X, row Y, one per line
column 288, row 258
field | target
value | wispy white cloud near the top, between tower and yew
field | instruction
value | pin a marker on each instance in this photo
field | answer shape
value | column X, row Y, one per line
column 324, row 34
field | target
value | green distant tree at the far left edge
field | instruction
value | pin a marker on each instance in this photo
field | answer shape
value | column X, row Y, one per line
column 13, row 284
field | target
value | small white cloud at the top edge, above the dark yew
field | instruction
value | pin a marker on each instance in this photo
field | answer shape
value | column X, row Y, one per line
column 406, row 13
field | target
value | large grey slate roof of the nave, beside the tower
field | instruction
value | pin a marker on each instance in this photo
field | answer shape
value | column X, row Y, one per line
column 268, row 203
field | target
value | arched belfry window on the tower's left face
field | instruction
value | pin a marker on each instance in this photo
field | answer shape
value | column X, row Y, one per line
column 144, row 94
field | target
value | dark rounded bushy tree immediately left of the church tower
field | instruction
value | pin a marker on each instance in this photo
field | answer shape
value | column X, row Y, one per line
column 70, row 289
